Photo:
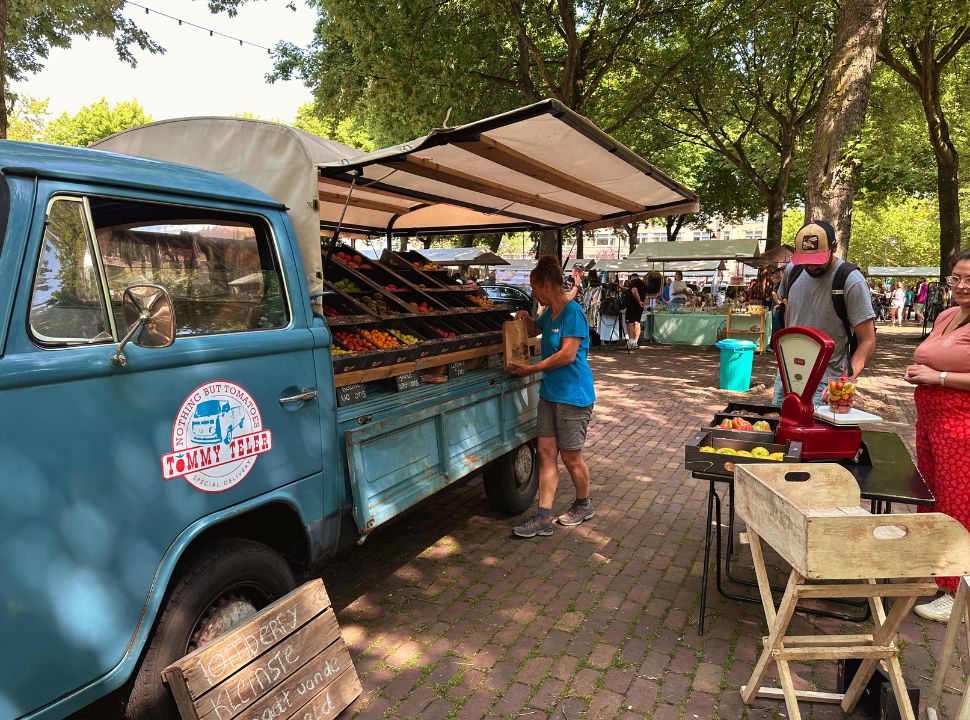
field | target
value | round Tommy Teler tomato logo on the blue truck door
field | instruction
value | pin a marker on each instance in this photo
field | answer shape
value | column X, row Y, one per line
column 217, row 435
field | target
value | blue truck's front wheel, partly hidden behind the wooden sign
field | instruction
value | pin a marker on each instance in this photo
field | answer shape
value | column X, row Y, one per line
column 219, row 587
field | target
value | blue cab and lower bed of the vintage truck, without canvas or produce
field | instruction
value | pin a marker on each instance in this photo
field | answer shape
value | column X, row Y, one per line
column 153, row 497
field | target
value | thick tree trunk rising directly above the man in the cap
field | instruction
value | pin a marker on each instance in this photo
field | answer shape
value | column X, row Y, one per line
column 831, row 173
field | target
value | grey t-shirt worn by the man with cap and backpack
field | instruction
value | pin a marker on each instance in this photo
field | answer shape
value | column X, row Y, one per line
column 810, row 305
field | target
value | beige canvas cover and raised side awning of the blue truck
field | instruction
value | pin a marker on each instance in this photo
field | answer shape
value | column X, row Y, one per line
column 535, row 168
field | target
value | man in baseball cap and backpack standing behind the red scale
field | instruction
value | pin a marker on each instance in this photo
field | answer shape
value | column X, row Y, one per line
column 814, row 285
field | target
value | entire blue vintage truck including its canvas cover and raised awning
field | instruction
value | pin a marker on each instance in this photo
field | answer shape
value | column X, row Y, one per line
column 173, row 455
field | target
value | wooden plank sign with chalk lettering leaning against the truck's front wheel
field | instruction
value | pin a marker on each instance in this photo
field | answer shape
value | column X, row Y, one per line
column 288, row 661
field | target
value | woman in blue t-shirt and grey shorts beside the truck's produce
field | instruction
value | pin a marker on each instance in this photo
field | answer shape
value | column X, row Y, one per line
column 566, row 397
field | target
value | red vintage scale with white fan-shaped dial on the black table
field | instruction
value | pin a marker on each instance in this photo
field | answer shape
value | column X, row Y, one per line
column 803, row 354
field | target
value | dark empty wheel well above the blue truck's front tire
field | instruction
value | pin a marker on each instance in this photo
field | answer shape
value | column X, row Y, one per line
column 276, row 525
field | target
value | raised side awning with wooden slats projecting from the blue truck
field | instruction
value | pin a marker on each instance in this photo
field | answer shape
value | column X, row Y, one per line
column 538, row 167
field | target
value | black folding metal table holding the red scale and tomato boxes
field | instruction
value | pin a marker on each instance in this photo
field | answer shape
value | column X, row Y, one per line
column 885, row 473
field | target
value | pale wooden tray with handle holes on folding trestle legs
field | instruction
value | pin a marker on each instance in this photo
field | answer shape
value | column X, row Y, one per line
column 809, row 513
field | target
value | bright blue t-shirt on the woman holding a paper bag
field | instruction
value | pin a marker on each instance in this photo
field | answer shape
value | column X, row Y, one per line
column 571, row 384
